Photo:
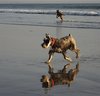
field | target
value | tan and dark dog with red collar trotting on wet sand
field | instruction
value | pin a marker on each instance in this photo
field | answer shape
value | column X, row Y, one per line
column 60, row 46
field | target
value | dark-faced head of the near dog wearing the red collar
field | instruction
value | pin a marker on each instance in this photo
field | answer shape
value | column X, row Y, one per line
column 46, row 41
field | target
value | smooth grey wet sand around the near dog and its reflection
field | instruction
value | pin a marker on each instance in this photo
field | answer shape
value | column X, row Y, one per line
column 21, row 57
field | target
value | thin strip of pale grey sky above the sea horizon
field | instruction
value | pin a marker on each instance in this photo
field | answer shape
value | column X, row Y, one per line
column 49, row 1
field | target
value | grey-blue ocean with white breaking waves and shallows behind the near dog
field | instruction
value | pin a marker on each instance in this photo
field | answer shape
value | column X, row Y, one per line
column 75, row 15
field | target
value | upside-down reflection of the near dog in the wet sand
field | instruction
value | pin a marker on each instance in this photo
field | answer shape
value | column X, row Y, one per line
column 64, row 76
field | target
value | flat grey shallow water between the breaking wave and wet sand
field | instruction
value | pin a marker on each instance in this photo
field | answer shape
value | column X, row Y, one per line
column 87, row 22
